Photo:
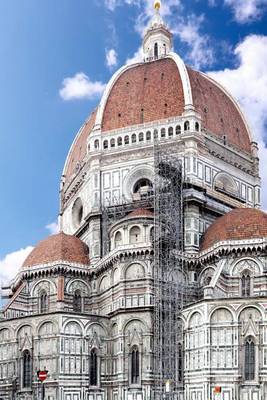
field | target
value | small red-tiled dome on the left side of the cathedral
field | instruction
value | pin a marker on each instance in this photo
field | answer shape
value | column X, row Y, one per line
column 60, row 247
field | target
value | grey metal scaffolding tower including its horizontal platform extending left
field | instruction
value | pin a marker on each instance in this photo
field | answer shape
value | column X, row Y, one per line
column 171, row 290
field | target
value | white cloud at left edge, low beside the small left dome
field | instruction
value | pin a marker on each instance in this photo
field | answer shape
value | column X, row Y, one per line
column 11, row 263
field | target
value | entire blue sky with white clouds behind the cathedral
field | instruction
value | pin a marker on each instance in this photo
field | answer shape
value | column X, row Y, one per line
column 56, row 57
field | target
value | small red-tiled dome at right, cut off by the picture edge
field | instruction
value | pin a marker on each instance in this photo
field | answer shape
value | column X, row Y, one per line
column 238, row 224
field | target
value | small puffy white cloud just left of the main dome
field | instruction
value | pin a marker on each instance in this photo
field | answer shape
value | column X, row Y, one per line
column 80, row 87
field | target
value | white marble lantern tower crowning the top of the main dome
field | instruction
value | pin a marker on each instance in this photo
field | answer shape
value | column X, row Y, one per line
column 157, row 42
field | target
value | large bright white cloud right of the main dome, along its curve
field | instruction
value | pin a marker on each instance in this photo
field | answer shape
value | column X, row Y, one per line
column 248, row 84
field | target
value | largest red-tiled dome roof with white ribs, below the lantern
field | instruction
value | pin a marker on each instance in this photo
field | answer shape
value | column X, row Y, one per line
column 160, row 90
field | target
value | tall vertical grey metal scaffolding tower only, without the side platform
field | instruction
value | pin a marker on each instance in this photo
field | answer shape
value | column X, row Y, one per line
column 169, row 280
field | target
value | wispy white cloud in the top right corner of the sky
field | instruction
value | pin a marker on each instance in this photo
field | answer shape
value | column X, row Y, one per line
column 247, row 10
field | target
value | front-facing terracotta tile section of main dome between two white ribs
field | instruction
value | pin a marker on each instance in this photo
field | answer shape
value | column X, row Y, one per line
column 156, row 88
